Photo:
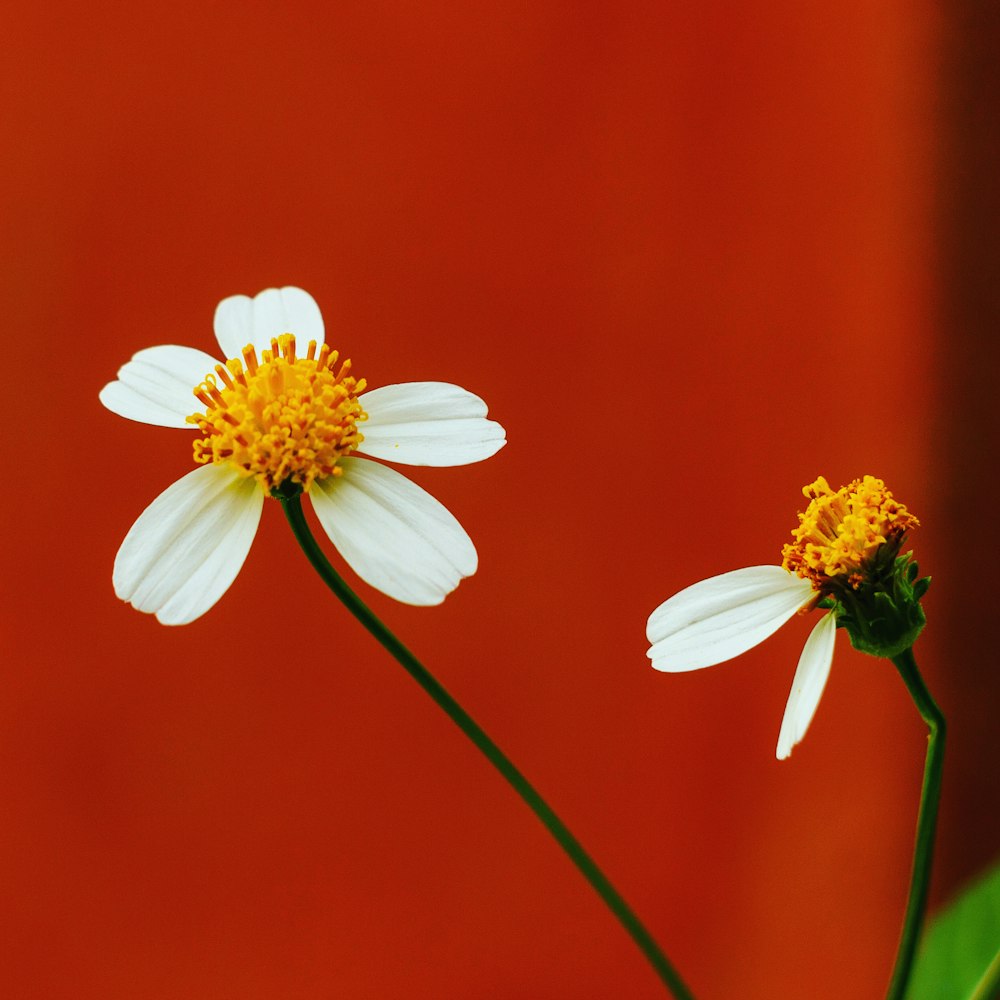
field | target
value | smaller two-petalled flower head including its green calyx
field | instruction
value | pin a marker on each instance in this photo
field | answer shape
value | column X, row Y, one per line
column 844, row 557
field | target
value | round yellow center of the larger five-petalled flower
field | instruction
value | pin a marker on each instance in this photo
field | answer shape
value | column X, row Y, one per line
column 280, row 417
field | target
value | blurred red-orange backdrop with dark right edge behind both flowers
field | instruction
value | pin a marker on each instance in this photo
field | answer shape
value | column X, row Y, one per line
column 693, row 256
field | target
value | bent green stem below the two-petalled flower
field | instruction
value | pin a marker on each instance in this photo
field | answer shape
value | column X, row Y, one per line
column 926, row 822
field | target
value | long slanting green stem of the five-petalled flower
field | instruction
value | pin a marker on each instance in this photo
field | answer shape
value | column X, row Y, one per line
column 664, row 970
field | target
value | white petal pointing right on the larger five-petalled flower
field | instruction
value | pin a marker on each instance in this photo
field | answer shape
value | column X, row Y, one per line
column 428, row 423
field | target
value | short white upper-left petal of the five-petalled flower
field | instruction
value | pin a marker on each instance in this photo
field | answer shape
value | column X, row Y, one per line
column 157, row 385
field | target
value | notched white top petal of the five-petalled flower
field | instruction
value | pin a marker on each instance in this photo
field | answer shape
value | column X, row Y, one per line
column 240, row 320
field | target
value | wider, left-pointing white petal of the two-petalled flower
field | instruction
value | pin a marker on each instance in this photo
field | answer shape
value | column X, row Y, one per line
column 721, row 617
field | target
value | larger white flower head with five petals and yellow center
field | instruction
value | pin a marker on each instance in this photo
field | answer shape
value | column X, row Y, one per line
column 279, row 410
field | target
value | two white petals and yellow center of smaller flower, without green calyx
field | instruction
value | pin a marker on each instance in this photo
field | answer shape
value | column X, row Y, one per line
column 839, row 536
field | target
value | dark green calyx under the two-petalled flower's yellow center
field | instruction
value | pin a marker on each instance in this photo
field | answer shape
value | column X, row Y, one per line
column 882, row 614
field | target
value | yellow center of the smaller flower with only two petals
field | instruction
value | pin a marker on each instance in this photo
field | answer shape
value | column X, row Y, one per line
column 841, row 530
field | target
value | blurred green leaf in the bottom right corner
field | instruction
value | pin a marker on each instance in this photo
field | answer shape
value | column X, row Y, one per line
column 958, row 957
